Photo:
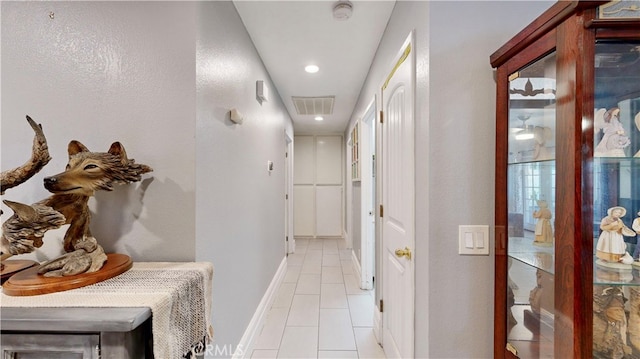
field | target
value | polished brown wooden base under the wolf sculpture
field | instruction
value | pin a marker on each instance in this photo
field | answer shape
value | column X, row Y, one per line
column 29, row 282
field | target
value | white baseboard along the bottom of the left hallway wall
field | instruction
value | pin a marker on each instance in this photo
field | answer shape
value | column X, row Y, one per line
column 245, row 346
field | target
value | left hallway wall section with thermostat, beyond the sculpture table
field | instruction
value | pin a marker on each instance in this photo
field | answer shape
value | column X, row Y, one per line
column 239, row 205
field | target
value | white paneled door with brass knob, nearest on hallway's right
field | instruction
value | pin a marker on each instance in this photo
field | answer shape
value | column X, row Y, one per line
column 398, row 197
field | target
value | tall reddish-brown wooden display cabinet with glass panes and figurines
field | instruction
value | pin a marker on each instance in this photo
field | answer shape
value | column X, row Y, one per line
column 567, row 154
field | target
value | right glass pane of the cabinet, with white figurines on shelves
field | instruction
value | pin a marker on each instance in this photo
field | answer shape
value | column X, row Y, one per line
column 616, row 200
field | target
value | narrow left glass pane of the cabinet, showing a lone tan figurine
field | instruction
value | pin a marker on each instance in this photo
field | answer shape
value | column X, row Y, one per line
column 531, row 205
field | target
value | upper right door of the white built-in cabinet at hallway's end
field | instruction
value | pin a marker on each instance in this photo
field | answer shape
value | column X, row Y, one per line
column 329, row 160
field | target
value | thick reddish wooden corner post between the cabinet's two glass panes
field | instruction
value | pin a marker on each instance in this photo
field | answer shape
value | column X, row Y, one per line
column 574, row 256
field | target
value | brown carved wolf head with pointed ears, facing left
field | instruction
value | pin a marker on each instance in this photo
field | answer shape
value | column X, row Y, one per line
column 89, row 171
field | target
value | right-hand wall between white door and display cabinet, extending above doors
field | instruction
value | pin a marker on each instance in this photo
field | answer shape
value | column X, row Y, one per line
column 455, row 129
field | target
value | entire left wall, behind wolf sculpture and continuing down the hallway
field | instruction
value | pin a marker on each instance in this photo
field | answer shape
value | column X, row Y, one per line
column 160, row 77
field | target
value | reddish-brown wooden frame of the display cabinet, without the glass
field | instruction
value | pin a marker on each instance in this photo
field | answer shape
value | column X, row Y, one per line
column 570, row 28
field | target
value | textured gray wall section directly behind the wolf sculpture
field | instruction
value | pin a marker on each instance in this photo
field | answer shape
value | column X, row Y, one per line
column 100, row 72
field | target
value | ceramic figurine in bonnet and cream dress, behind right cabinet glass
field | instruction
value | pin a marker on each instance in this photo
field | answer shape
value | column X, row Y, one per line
column 611, row 248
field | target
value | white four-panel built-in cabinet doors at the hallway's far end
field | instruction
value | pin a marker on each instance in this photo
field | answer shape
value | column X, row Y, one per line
column 318, row 186
